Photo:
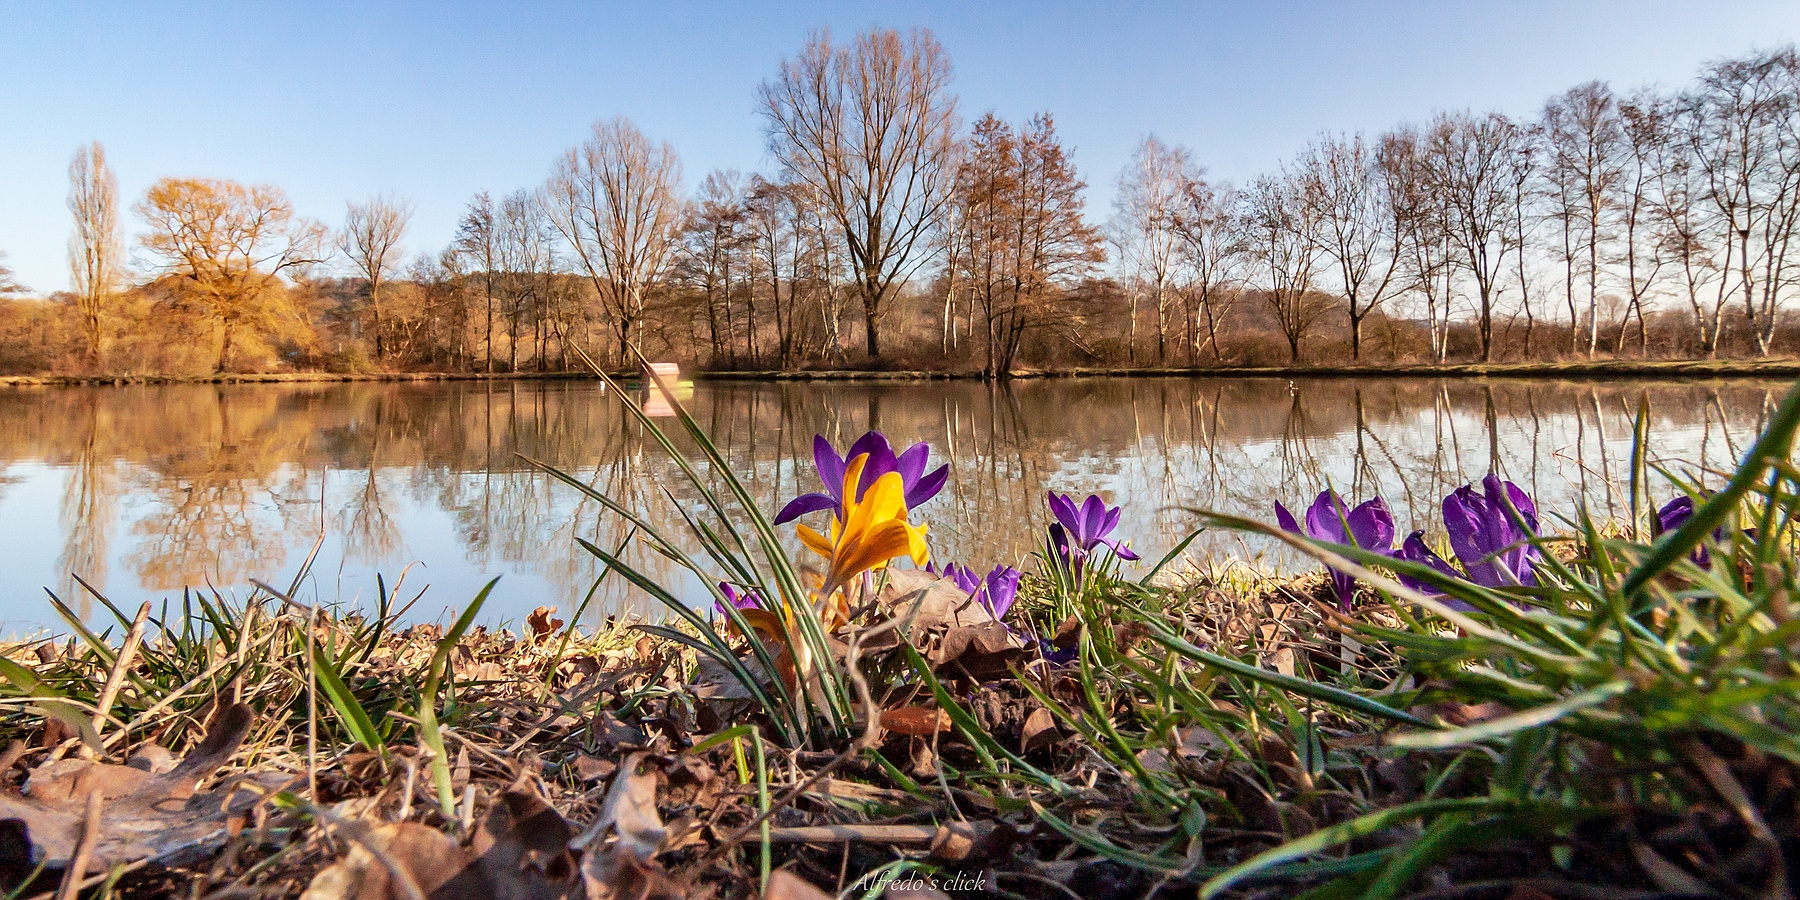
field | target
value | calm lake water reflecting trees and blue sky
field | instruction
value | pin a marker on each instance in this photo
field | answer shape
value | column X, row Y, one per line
column 157, row 489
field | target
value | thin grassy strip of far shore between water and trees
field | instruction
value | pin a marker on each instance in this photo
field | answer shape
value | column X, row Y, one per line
column 1786, row 368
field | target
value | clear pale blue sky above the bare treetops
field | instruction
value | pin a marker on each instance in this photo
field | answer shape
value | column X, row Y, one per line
column 436, row 102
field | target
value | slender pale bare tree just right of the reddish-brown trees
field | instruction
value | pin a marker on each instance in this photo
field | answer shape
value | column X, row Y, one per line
column 1144, row 228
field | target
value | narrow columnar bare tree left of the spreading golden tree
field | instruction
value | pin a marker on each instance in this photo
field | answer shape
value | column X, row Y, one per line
column 96, row 247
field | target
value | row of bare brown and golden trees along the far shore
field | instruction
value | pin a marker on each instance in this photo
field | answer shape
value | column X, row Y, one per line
column 890, row 235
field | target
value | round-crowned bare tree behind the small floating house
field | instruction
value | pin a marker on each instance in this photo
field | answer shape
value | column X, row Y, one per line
column 618, row 204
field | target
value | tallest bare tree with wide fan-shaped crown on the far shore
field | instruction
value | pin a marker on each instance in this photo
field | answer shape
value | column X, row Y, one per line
column 872, row 130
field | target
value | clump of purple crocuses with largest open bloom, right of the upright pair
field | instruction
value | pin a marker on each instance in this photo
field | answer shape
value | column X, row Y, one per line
column 1491, row 535
